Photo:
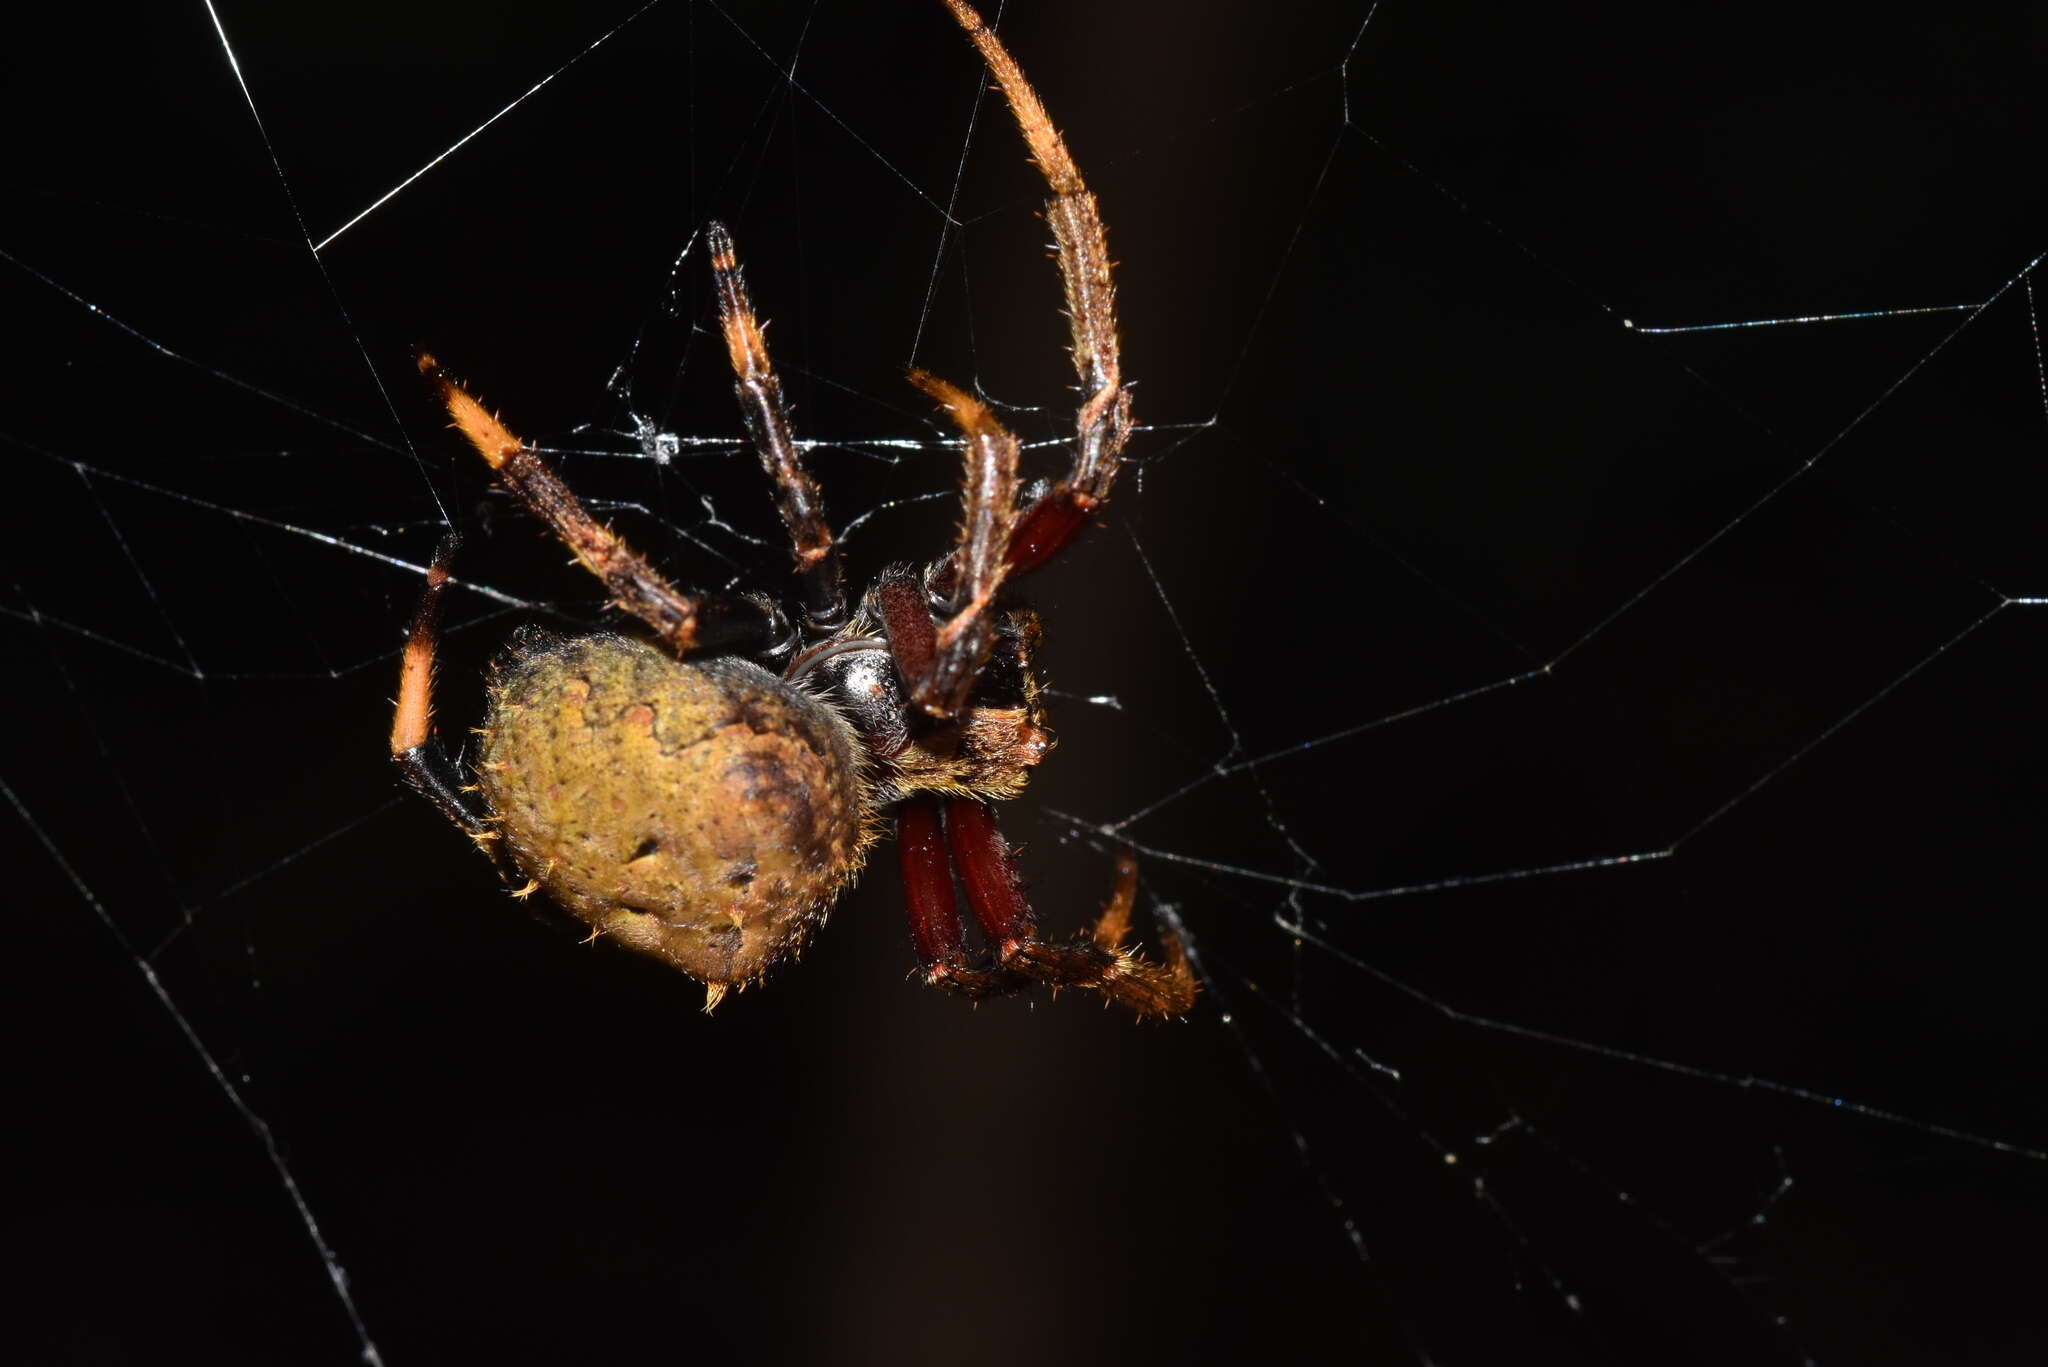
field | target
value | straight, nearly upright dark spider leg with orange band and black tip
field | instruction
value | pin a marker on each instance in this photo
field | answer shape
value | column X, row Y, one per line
column 761, row 405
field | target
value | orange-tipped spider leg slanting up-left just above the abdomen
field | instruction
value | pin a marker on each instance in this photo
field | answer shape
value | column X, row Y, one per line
column 634, row 585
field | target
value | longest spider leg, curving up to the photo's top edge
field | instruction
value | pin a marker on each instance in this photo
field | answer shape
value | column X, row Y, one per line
column 1103, row 425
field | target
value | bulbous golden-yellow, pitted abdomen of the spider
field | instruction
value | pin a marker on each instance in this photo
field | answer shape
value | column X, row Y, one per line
column 703, row 813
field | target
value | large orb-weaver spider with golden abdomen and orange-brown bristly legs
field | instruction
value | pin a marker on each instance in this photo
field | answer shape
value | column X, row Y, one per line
column 708, row 794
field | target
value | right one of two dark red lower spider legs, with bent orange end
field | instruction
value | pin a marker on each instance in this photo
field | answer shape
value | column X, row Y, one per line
column 1097, row 962
